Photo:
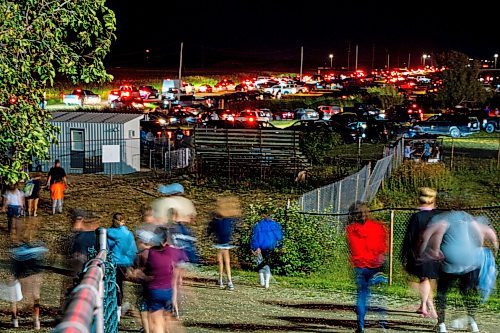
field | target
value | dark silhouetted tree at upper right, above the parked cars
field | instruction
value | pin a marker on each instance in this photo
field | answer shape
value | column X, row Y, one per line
column 460, row 79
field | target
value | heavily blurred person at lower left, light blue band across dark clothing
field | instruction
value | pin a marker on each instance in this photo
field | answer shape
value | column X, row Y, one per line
column 26, row 257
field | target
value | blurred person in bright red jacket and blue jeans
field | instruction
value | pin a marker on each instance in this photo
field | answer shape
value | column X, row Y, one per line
column 367, row 241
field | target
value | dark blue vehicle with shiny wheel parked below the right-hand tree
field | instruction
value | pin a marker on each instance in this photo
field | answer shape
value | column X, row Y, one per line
column 453, row 125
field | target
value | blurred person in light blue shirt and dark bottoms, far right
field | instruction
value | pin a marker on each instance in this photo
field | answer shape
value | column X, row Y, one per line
column 457, row 238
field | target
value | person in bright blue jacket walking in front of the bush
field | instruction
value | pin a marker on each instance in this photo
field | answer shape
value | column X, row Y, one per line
column 267, row 235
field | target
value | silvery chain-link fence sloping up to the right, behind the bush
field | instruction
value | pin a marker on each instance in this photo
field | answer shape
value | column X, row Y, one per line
column 363, row 185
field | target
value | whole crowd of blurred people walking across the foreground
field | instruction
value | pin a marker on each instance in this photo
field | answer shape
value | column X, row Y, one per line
column 442, row 246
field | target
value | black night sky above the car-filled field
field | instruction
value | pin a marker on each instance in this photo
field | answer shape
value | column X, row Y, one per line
column 268, row 34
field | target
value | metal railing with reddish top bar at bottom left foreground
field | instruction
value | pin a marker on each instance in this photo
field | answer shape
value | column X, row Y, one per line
column 92, row 305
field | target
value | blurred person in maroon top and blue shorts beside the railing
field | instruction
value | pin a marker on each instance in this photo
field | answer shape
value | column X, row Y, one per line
column 163, row 268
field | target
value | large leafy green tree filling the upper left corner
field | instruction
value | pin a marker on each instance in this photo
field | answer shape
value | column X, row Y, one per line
column 41, row 40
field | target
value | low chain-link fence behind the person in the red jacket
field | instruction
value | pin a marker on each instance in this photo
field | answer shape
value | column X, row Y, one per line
column 396, row 221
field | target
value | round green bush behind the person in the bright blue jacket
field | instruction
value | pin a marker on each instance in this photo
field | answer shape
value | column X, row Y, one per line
column 310, row 244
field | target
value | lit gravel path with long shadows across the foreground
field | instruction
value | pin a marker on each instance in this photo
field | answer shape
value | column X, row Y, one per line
column 249, row 308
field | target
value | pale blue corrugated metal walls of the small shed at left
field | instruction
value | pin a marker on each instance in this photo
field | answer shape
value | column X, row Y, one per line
column 95, row 136
